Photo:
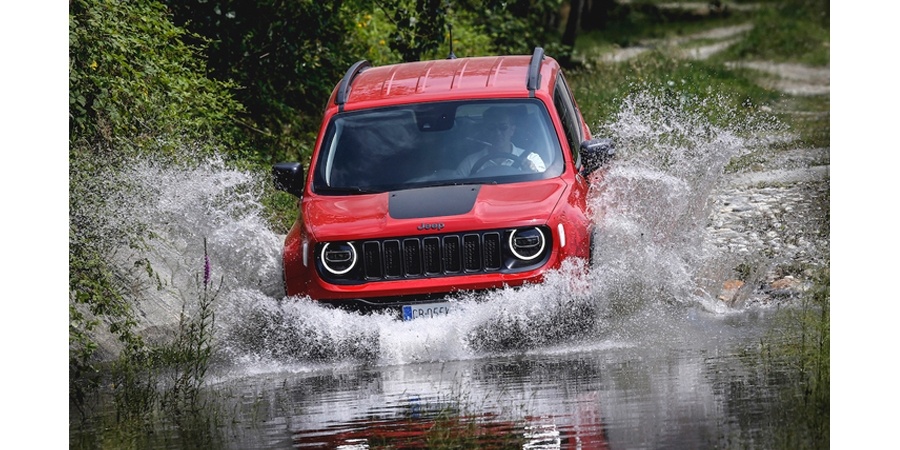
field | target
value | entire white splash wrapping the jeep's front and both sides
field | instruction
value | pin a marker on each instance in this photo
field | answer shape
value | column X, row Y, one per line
column 651, row 247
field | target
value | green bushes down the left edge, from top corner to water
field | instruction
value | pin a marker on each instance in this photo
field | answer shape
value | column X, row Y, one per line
column 135, row 88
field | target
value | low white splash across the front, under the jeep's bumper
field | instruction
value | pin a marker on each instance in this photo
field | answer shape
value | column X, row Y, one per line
column 264, row 329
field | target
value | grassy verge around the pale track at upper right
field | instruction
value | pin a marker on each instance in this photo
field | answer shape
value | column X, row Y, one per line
column 794, row 31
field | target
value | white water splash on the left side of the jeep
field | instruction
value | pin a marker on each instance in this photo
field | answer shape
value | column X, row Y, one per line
column 177, row 207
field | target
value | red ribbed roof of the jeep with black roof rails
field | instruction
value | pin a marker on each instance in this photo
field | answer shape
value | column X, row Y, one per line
column 448, row 79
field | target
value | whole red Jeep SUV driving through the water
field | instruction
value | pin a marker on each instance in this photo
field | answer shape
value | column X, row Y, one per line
column 433, row 177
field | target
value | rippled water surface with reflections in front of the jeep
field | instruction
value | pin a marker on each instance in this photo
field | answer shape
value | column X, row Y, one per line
column 692, row 386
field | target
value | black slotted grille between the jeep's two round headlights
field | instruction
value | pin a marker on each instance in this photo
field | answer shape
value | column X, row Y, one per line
column 414, row 257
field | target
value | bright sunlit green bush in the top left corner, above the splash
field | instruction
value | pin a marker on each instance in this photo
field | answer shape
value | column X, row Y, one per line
column 134, row 83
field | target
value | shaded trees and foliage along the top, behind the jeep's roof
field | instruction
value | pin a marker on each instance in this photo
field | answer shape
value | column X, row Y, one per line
column 285, row 61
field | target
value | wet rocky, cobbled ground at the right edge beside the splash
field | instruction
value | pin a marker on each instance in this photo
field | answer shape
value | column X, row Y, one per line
column 776, row 221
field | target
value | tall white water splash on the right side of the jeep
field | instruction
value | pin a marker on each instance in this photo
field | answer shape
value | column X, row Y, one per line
column 652, row 244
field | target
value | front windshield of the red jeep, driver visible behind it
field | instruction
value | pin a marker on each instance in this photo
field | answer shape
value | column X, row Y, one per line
column 432, row 144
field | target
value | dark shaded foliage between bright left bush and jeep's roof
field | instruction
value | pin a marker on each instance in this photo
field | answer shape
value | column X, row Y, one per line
column 283, row 59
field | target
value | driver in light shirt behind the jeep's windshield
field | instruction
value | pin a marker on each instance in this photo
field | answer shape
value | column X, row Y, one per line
column 500, row 129
